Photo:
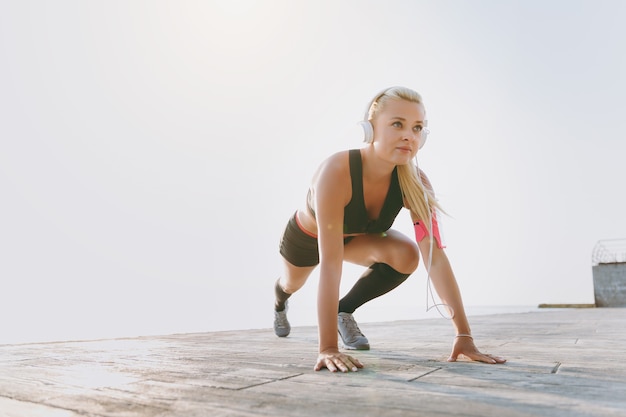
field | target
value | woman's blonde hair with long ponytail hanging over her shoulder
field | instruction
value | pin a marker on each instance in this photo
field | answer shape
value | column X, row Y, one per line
column 417, row 195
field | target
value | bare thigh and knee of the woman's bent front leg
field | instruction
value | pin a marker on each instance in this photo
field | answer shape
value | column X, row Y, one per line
column 392, row 248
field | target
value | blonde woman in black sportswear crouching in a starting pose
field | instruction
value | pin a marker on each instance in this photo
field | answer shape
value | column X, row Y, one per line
column 352, row 202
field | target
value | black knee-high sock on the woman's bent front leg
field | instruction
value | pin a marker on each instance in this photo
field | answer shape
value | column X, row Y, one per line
column 379, row 279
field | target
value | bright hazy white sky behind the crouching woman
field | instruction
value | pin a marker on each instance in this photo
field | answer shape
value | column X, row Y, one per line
column 152, row 151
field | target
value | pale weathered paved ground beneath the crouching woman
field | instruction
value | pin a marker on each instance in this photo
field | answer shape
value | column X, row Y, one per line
column 568, row 362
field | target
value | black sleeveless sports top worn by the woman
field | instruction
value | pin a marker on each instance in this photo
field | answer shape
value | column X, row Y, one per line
column 355, row 219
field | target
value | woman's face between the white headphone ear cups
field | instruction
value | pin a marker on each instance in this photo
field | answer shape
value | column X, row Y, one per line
column 397, row 130
